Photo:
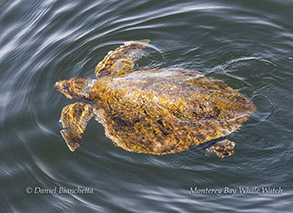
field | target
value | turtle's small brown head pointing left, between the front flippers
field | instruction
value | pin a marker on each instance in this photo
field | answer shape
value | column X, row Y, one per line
column 75, row 87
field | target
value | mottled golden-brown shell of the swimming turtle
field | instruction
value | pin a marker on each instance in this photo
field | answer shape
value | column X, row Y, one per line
column 139, row 117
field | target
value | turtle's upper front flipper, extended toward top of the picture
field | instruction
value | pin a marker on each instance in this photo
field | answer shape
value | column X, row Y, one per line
column 121, row 60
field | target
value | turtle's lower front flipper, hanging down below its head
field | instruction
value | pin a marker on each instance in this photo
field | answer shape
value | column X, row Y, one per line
column 74, row 119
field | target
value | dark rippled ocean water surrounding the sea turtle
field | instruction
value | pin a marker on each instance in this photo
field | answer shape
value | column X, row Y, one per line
column 247, row 44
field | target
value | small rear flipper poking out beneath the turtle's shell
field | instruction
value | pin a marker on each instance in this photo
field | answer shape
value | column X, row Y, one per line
column 222, row 149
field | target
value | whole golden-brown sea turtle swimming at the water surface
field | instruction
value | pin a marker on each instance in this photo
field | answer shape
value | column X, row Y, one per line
column 156, row 111
